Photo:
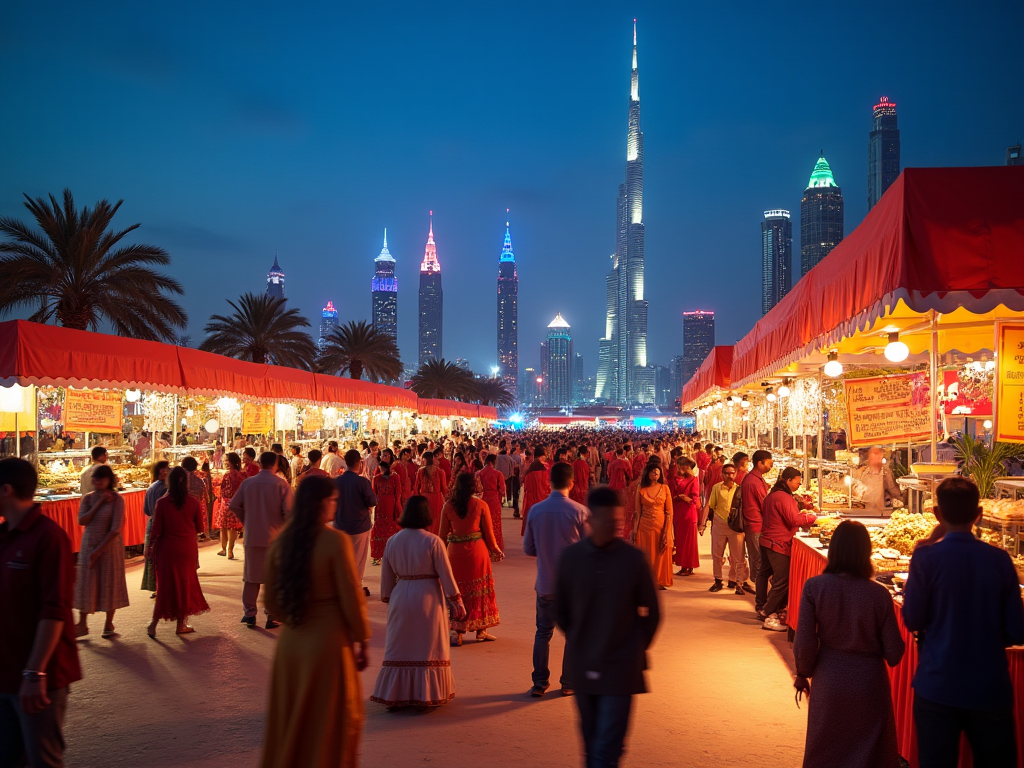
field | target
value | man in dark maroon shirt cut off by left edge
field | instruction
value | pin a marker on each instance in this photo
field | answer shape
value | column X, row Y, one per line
column 38, row 657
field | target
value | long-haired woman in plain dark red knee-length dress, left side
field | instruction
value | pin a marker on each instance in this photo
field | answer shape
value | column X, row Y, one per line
column 177, row 522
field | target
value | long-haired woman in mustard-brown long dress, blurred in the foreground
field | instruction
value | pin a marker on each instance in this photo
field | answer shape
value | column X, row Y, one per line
column 316, row 714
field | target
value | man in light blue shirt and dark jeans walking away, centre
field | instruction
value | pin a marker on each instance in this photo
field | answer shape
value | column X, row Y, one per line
column 556, row 524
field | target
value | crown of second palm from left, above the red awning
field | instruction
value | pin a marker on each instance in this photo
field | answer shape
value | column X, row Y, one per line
column 262, row 330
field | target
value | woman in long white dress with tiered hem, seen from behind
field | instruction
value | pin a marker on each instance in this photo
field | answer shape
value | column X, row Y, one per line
column 417, row 584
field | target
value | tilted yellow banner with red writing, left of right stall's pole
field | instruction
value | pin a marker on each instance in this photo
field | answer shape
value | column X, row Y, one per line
column 884, row 410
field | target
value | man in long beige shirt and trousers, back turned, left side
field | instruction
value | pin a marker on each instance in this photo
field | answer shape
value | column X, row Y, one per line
column 263, row 503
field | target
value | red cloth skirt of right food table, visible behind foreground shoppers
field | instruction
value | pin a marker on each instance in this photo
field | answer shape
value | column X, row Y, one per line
column 807, row 563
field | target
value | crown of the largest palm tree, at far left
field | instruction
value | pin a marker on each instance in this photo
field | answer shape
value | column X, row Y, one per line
column 75, row 271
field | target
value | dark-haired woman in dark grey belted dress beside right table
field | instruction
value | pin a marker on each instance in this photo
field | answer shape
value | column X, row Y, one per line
column 846, row 636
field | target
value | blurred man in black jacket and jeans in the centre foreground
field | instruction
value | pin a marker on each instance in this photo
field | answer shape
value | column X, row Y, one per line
column 607, row 605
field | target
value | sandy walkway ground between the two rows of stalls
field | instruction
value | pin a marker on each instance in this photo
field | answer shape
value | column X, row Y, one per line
column 720, row 696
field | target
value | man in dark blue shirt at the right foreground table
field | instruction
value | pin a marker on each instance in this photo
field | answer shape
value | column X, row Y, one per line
column 963, row 600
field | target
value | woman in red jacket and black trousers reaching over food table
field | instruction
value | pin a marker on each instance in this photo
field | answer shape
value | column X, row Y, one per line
column 781, row 518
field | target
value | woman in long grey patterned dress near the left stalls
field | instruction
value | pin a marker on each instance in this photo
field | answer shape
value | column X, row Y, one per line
column 101, row 586
